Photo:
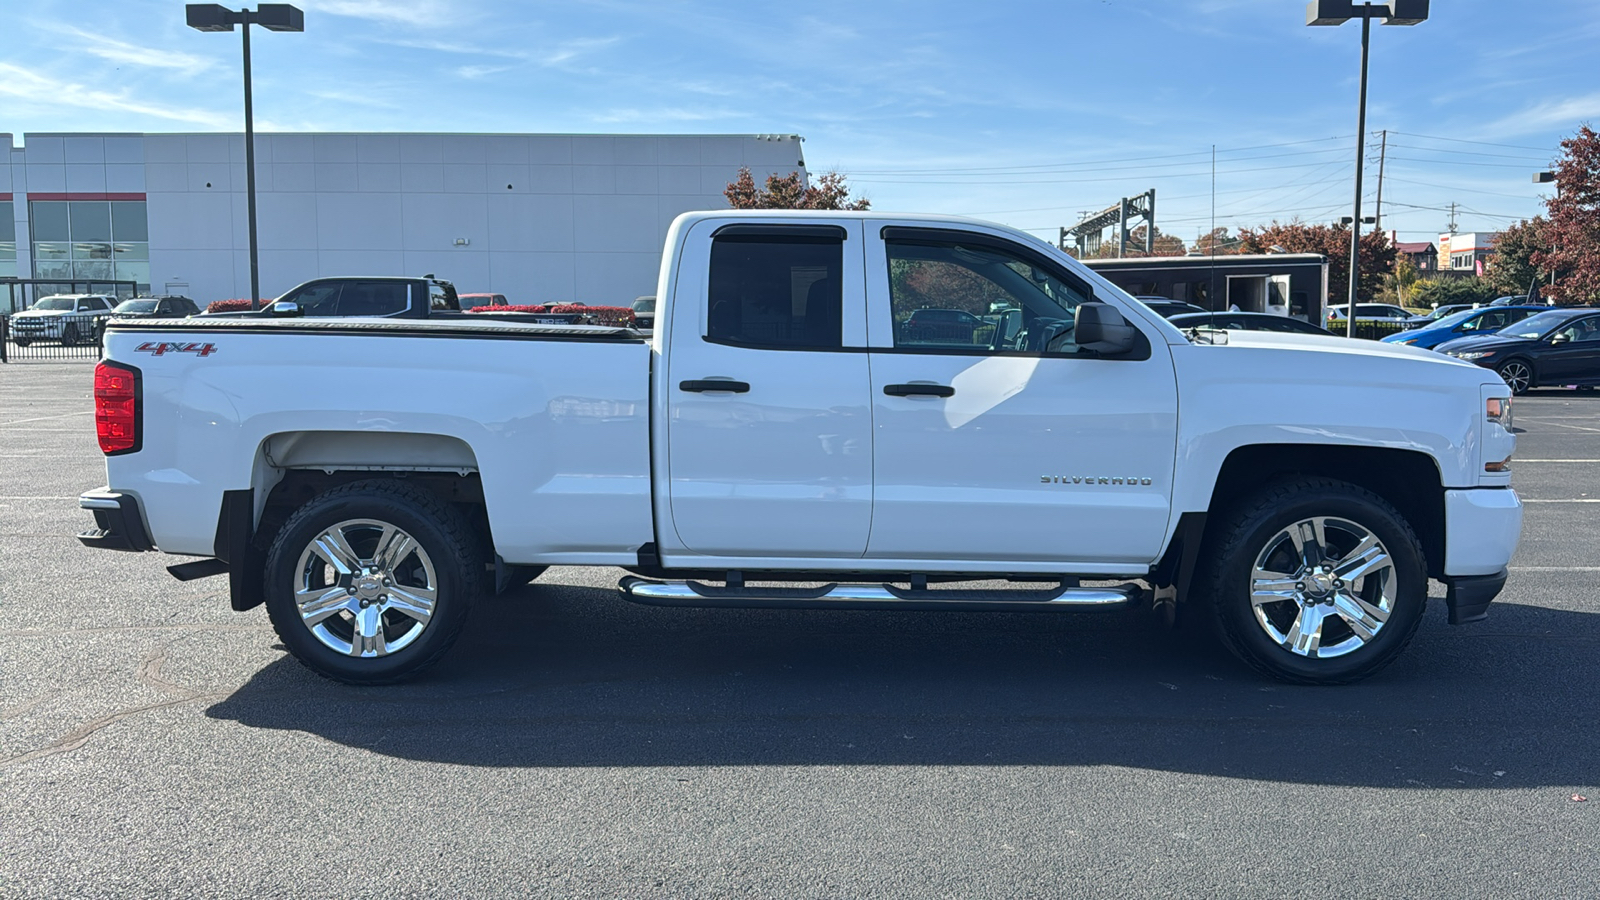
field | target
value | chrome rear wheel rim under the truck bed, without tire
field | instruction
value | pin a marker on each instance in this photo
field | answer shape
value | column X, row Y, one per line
column 366, row 589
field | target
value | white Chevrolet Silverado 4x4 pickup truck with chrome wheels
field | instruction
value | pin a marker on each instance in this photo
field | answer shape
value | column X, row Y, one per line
column 836, row 411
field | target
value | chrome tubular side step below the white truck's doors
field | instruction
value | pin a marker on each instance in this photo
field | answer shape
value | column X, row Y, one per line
column 879, row 598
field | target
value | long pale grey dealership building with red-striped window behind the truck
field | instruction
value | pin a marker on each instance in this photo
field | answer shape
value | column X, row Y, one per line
column 538, row 219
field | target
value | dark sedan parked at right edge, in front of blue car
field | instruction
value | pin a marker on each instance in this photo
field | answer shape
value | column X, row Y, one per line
column 1559, row 347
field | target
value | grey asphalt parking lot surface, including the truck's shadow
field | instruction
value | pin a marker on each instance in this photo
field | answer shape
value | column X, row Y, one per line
column 575, row 745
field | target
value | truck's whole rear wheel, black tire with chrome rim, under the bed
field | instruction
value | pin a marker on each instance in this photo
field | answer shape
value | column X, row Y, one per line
column 447, row 555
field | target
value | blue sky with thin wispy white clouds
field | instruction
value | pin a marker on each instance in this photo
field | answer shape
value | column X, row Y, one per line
column 1018, row 113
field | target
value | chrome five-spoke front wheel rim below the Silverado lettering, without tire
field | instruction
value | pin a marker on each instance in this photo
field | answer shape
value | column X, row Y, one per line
column 1324, row 587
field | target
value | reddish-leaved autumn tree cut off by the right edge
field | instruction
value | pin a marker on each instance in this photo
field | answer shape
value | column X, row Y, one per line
column 1574, row 228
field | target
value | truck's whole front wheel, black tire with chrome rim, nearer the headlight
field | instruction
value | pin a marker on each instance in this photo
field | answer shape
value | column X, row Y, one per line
column 1249, row 532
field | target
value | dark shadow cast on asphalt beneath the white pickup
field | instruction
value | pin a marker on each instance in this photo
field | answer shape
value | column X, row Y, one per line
column 575, row 677
